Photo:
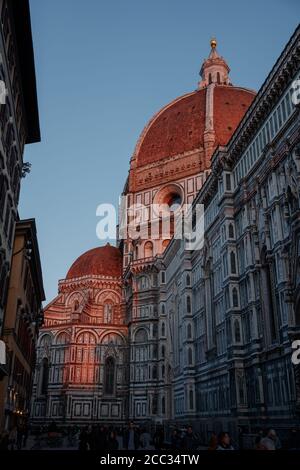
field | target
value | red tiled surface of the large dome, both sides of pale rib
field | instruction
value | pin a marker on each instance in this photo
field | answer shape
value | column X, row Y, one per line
column 179, row 126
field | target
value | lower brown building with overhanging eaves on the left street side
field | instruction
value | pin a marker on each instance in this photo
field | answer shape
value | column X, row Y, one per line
column 23, row 317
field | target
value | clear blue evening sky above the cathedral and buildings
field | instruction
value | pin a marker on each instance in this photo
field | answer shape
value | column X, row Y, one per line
column 103, row 69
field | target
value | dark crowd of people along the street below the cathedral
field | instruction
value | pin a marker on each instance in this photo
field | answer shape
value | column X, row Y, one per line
column 102, row 439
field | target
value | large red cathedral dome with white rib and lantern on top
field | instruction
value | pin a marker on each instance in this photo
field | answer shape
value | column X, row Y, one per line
column 203, row 119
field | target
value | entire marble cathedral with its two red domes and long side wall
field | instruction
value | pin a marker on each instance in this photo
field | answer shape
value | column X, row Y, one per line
column 152, row 332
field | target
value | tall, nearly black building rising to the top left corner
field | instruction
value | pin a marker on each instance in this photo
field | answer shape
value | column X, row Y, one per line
column 19, row 124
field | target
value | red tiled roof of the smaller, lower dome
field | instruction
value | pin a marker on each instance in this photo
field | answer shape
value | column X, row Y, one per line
column 102, row 261
